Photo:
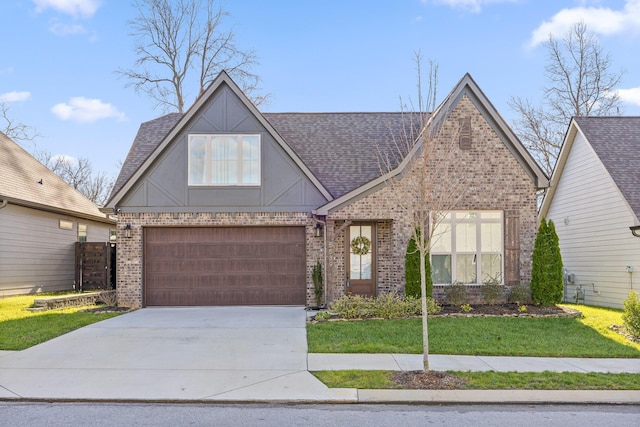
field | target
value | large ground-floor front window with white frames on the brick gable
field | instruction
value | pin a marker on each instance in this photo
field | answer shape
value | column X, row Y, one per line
column 467, row 247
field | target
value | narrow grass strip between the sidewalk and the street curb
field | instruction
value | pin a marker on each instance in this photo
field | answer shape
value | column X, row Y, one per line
column 491, row 380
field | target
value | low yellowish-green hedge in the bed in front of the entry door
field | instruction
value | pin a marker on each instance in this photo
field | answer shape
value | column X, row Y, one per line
column 386, row 306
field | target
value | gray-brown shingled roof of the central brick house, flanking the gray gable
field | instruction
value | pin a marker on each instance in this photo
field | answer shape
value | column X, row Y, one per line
column 341, row 149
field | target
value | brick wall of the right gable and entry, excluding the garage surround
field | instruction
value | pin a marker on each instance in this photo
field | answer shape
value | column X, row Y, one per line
column 483, row 176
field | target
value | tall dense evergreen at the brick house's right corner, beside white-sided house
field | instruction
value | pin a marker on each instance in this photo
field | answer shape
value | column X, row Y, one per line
column 546, row 272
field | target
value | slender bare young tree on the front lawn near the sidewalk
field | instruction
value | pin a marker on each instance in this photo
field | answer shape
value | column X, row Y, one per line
column 421, row 194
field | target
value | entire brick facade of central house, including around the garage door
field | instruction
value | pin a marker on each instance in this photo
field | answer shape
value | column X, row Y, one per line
column 494, row 180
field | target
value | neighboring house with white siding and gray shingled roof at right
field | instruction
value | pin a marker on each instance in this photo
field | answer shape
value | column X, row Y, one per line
column 593, row 201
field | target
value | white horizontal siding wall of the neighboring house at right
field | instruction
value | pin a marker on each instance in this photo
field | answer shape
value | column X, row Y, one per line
column 592, row 220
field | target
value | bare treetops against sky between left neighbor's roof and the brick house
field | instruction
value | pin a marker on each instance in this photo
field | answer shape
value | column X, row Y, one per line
column 79, row 174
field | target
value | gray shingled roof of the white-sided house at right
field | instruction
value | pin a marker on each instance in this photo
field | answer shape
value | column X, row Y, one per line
column 616, row 141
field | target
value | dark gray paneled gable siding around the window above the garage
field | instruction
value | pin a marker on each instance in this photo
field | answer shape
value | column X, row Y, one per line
column 164, row 187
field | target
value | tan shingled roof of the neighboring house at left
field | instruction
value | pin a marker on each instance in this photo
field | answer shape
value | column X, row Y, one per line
column 27, row 182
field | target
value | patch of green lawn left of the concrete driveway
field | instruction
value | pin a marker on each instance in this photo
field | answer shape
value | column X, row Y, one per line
column 21, row 328
